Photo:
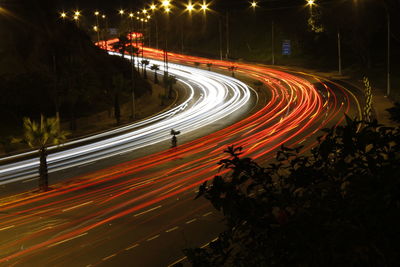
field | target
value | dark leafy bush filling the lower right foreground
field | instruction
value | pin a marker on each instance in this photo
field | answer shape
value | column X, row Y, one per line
column 339, row 206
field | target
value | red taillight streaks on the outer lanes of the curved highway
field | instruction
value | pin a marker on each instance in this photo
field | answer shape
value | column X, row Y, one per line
column 296, row 111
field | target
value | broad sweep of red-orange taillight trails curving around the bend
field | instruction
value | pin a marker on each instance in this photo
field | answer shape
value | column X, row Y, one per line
column 296, row 107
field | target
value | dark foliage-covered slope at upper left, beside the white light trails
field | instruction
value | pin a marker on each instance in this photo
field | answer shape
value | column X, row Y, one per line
column 50, row 66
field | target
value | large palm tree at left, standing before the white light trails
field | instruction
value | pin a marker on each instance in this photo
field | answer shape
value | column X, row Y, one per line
column 39, row 136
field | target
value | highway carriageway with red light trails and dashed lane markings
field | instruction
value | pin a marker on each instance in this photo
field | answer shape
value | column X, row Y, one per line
column 138, row 209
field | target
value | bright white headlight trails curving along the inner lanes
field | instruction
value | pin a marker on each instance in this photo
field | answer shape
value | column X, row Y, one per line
column 211, row 97
